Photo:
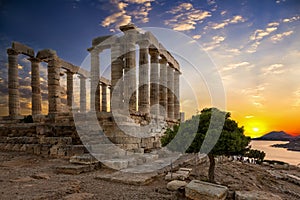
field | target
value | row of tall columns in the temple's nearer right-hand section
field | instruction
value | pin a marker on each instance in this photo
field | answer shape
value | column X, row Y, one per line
column 164, row 80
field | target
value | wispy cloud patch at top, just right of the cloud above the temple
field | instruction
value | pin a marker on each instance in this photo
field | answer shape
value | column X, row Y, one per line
column 186, row 17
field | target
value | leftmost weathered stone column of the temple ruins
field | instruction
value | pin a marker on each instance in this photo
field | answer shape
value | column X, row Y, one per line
column 13, row 84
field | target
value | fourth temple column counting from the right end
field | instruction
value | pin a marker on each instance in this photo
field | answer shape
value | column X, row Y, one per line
column 154, row 82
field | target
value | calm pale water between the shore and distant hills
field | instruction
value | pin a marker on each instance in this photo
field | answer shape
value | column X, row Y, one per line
column 272, row 153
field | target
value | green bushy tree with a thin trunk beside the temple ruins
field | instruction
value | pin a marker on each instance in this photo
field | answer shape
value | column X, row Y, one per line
column 216, row 134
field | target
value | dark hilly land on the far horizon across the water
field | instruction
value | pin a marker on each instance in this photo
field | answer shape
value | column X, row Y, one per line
column 292, row 145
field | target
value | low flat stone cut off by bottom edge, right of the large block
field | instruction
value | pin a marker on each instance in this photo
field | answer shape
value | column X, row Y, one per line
column 255, row 195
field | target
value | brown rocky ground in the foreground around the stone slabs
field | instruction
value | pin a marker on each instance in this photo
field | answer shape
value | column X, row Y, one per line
column 24, row 176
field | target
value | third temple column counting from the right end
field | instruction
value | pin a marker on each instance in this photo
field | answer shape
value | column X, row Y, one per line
column 163, row 90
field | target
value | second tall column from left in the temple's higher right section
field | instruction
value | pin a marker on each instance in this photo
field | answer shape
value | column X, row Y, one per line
column 117, row 65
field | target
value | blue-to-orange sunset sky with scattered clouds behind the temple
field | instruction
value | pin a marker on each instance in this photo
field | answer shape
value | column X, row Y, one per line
column 250, row 48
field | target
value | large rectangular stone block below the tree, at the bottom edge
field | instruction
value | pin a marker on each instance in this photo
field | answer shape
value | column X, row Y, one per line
column 199, row 190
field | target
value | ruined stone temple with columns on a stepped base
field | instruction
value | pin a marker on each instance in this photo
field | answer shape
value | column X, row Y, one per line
column 140, row 96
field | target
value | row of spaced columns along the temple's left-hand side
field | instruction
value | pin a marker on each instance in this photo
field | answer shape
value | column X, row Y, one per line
column 54, row 100
